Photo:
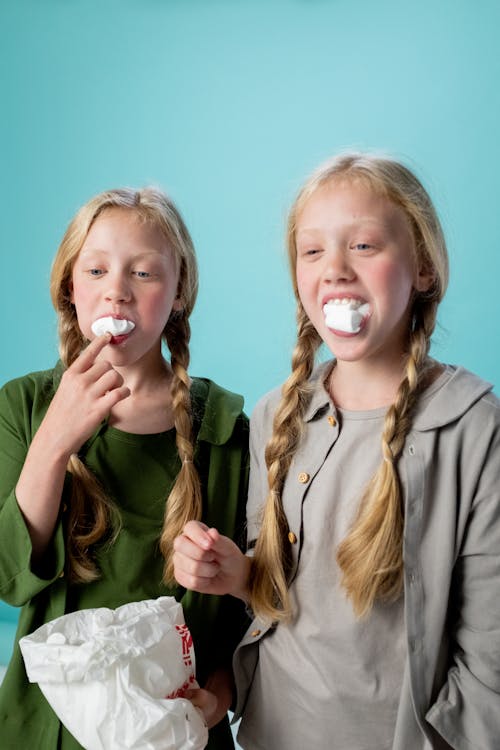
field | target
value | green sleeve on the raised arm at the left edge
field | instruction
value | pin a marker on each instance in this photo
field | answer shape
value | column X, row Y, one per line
column 18, row 581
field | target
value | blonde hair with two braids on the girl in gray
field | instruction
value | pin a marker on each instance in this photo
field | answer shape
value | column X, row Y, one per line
column 371, row 556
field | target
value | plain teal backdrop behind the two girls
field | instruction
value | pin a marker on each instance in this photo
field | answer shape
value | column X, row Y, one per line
column 228, row 104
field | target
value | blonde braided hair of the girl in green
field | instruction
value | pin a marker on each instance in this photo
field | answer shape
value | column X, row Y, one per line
column 91, row 514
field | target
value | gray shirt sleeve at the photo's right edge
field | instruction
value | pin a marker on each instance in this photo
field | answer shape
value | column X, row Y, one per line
column 467, row 710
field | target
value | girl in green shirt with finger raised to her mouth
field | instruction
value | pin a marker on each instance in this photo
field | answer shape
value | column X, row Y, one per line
column 105, row 458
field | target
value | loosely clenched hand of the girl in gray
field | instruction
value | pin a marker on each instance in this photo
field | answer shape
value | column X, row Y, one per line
column 207, row 562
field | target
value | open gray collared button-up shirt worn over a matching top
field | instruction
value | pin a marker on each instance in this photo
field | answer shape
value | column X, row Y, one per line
column 450, row 475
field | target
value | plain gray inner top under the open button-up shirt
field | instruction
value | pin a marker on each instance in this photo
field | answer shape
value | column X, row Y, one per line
column 346, row 673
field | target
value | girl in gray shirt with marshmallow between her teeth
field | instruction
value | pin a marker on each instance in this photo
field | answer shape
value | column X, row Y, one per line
column 373, row 564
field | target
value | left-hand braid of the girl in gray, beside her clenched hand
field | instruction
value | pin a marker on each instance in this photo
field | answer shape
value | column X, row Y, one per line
column 268, row 585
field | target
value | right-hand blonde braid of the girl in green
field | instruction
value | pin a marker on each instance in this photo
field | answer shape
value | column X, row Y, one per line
column 185, row 501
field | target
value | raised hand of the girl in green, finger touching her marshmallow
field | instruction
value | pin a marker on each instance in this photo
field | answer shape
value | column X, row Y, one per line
column 88, row 390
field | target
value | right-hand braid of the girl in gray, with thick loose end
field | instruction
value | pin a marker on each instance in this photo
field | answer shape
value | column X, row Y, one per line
column 371, row 556
